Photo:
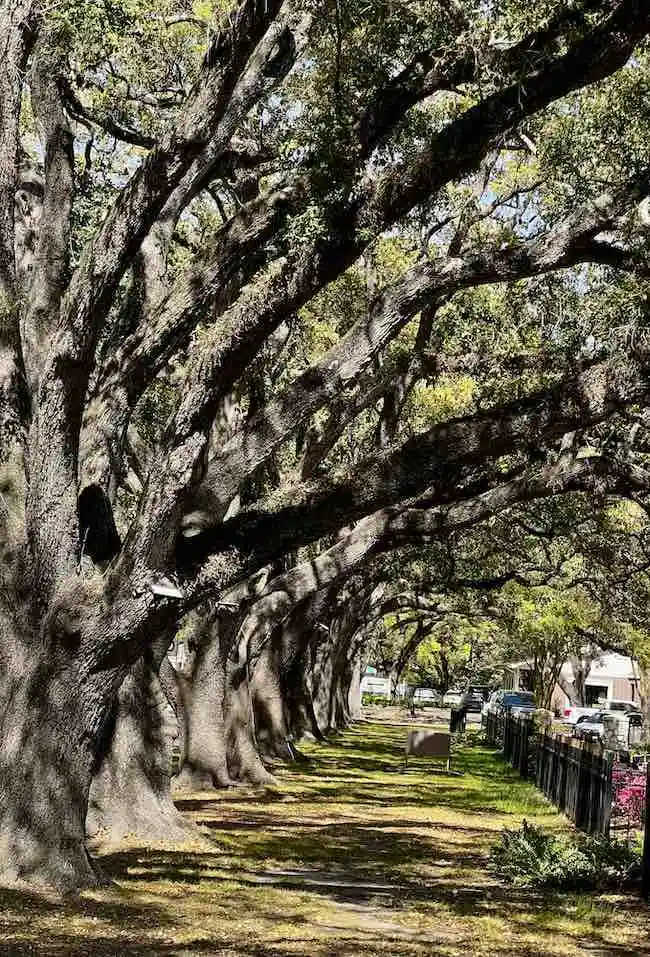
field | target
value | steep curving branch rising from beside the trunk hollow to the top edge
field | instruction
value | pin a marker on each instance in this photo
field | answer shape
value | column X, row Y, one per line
column 233, row 78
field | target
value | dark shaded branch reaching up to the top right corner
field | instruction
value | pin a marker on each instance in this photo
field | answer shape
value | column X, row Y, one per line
column 453, row 152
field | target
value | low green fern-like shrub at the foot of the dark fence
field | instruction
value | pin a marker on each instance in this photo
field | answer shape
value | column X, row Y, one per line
column 535, row 857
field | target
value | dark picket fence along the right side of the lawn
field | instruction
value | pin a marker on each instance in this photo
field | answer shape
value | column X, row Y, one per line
column 576, row 776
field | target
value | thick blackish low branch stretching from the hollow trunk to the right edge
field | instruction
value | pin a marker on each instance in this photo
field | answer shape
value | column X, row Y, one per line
column 441, row 460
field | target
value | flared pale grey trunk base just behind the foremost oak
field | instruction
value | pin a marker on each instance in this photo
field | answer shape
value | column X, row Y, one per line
column 130, row 794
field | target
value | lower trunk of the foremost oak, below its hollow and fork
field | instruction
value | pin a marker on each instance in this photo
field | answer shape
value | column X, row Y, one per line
column 51, row 717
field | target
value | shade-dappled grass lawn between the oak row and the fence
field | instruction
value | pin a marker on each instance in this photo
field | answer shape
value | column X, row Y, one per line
column 348, row 855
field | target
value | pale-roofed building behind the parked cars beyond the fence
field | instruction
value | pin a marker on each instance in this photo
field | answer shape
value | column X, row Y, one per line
column 610, row 676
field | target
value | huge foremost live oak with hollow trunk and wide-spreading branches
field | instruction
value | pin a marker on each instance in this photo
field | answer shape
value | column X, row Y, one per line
column 177, row 187
